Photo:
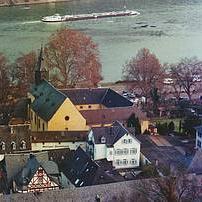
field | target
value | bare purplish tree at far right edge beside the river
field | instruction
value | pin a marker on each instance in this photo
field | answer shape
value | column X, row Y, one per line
column 186, row 75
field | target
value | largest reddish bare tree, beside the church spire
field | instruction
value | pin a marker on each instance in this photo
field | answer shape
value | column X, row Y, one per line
column 72, row 58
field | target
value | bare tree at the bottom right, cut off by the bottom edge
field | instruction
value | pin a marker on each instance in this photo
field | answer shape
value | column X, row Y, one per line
column 169, row 189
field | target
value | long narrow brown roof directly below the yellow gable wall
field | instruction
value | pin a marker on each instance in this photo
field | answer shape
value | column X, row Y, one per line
column 58, row 136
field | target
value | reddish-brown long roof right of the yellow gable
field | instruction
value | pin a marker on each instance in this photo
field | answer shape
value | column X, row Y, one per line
column 107, row 116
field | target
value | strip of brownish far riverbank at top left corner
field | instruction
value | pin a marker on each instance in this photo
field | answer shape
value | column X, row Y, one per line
column 7, row 3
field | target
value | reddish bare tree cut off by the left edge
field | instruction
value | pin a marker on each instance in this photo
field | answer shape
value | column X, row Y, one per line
column 4, row 80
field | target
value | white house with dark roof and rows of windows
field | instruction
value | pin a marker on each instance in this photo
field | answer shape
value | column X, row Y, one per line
column 115, row 144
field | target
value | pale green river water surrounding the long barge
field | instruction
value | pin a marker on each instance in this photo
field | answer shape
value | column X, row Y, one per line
column 172, row 29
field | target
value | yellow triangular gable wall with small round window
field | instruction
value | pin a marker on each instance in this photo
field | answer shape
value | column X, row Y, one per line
column 68, row 118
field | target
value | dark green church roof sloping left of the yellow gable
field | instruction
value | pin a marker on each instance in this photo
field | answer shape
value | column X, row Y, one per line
column 47, row 99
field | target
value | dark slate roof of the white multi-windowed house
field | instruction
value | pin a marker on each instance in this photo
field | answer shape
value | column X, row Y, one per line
column 111, row 133
